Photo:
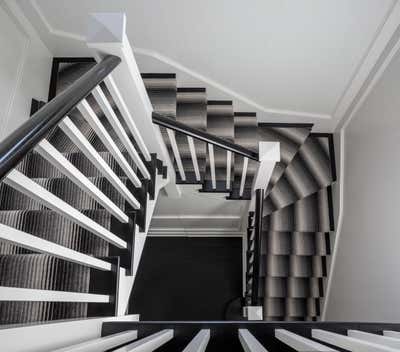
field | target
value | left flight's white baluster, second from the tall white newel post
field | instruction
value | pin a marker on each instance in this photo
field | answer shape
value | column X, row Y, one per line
column 119, row 129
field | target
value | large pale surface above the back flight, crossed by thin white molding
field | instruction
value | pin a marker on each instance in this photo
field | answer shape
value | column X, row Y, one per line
column 290, row 61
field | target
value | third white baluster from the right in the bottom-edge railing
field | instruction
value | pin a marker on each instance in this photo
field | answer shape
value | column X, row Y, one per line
column 349, row 343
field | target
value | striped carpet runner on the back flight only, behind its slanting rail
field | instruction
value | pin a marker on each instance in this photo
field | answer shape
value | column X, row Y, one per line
column 189, row 105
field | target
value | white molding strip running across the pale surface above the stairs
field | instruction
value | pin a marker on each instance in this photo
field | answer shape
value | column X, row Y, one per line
column 351, row 98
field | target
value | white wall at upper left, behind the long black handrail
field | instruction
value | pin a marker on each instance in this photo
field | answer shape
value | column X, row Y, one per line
column 25, row 65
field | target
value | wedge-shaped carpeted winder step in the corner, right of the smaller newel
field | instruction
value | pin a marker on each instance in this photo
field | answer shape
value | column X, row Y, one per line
column 309, row 171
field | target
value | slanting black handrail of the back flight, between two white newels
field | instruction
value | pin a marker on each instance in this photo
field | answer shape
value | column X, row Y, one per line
column 168, row 122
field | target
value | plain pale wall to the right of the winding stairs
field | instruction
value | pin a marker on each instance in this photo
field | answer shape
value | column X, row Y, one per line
column 366, row 277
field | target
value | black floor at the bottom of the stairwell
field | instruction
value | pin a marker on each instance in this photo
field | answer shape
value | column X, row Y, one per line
column 182, row 278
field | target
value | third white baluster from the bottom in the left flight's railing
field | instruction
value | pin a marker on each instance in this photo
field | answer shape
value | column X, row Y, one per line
column 21, row 183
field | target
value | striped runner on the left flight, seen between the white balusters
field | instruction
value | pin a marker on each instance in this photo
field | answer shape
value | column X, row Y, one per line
column 22, row 268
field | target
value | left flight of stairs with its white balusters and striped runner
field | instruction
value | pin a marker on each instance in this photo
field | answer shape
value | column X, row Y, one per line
column 71, row 208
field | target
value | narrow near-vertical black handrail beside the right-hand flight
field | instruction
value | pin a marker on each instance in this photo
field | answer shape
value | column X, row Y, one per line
column 257, row 246
